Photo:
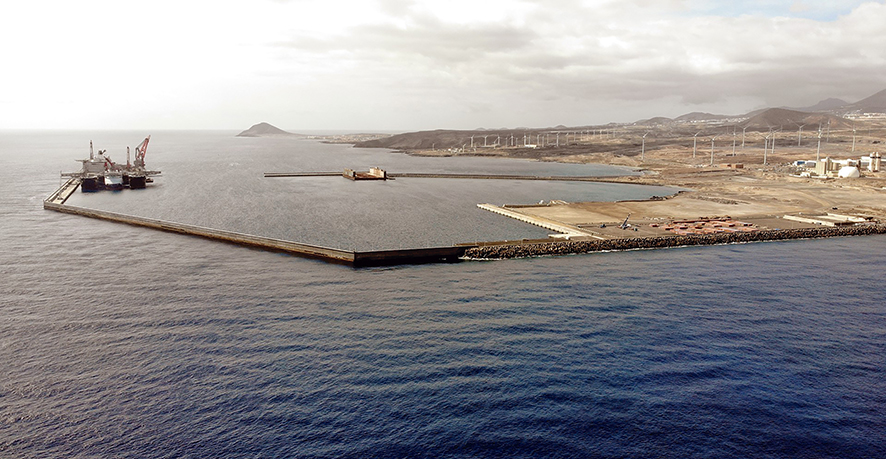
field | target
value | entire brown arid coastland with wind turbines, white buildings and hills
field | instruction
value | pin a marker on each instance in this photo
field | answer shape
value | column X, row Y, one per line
column 774, row 170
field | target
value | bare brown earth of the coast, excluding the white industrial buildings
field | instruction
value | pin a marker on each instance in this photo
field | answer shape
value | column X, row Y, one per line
column 720, row 177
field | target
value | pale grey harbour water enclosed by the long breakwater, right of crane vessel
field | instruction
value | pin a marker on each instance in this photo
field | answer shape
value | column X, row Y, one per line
column 228, row 191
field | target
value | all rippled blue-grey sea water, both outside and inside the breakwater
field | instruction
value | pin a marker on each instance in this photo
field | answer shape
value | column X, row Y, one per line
column 118, row 341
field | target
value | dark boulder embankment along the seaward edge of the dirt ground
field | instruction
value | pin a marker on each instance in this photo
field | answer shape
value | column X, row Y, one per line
column 503, row 251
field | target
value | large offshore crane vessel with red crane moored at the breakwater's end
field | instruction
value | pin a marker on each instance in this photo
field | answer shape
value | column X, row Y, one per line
column 100, row 173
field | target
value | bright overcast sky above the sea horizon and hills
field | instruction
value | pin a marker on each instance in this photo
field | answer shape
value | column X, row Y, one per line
column 403, row 65
